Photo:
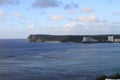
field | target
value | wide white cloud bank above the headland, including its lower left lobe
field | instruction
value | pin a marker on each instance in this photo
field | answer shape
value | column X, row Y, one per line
column 85, row 22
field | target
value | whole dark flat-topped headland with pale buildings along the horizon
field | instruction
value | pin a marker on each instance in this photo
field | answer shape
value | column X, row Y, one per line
column 115, row 38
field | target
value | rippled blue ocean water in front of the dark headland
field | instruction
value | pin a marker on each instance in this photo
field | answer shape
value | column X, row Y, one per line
column 22, row 60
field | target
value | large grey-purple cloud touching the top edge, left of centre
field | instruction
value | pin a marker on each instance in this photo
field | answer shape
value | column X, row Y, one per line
column 45, row 3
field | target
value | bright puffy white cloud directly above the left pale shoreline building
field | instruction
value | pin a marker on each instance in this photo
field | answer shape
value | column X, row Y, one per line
column 91, row 18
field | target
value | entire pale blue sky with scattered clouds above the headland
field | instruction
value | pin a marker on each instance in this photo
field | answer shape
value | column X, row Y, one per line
column 20, row 18
